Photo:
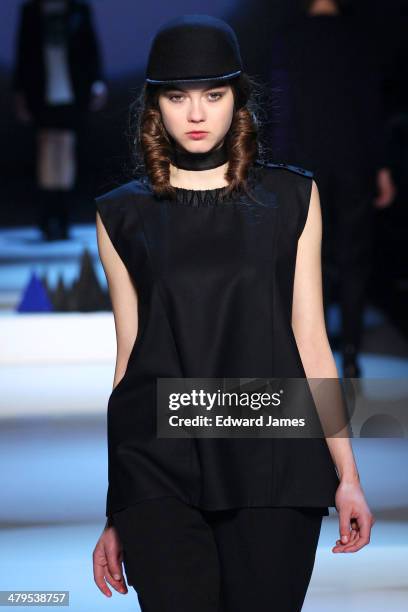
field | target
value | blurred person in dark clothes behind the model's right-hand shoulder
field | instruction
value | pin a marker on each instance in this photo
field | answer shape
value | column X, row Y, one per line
column 327, row 77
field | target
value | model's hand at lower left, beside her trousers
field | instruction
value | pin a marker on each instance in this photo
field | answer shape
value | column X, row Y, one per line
column 107, row 562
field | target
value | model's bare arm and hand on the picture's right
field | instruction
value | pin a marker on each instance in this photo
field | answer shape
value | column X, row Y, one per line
column 311, row 337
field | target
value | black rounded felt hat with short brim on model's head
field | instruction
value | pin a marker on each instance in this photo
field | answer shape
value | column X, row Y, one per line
column 194, row 48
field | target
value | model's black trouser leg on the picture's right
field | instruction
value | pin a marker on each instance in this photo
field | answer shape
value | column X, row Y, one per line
column 266, row 557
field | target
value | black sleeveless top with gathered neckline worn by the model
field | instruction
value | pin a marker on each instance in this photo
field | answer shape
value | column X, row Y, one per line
column 214, row 279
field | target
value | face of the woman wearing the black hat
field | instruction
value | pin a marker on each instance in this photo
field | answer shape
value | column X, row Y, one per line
column 206, row 109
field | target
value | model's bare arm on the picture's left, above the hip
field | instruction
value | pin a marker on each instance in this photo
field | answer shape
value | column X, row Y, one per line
column 123, row 297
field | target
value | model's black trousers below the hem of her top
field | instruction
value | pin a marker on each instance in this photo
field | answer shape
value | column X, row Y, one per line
column 179, row 558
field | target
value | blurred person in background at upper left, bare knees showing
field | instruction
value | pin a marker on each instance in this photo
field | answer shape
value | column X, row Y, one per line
column 57, row 79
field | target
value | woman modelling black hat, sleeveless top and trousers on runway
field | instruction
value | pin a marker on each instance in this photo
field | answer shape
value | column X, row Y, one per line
column 212, row 258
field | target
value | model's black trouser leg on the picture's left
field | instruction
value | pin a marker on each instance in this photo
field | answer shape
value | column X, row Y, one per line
column 170, row 556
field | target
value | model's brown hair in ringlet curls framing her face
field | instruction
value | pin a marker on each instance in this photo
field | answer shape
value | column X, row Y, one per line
column 151, row 144
